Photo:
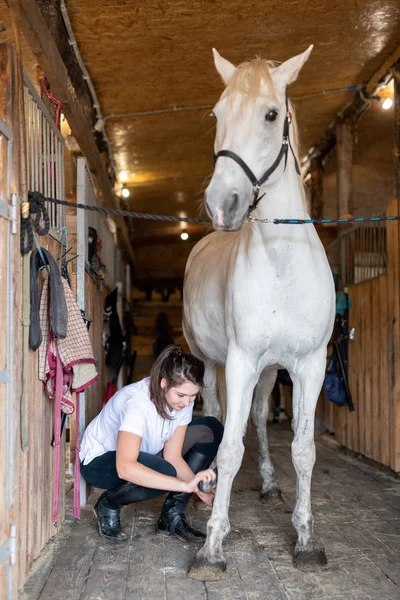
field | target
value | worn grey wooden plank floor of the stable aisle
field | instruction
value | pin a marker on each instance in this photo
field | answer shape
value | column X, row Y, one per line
column 357, row 516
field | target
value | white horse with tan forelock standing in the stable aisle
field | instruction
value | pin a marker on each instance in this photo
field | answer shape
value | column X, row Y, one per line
column 259, row 296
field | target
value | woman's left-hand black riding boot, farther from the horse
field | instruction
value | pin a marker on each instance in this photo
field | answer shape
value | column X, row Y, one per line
column 108, row 508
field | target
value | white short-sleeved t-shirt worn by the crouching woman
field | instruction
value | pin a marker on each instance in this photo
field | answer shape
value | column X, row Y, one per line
column 131, row 409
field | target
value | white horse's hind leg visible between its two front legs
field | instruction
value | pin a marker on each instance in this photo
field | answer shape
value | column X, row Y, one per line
column 270, row 491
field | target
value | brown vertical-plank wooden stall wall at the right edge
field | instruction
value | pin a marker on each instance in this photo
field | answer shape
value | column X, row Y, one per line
column 373, row 429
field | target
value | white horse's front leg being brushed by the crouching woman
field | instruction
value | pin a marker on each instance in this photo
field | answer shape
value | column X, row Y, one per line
column 210, row 563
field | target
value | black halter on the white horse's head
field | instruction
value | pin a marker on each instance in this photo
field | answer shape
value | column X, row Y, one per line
column 283, row 153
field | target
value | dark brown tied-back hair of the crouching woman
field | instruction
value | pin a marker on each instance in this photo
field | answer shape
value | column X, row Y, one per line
column 176, row 367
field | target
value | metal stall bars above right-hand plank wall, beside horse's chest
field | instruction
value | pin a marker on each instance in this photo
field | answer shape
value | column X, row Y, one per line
column 359, row 254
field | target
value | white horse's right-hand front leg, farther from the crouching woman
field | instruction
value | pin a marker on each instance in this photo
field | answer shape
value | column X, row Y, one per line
column 307, row 383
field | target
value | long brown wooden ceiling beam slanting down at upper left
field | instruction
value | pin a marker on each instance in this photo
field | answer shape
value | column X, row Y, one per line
column 39, row 38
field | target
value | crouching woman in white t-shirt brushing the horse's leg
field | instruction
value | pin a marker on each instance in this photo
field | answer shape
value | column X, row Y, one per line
column 145, row 443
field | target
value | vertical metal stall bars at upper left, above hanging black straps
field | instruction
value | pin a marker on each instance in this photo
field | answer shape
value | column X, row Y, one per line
column 44, row 156
